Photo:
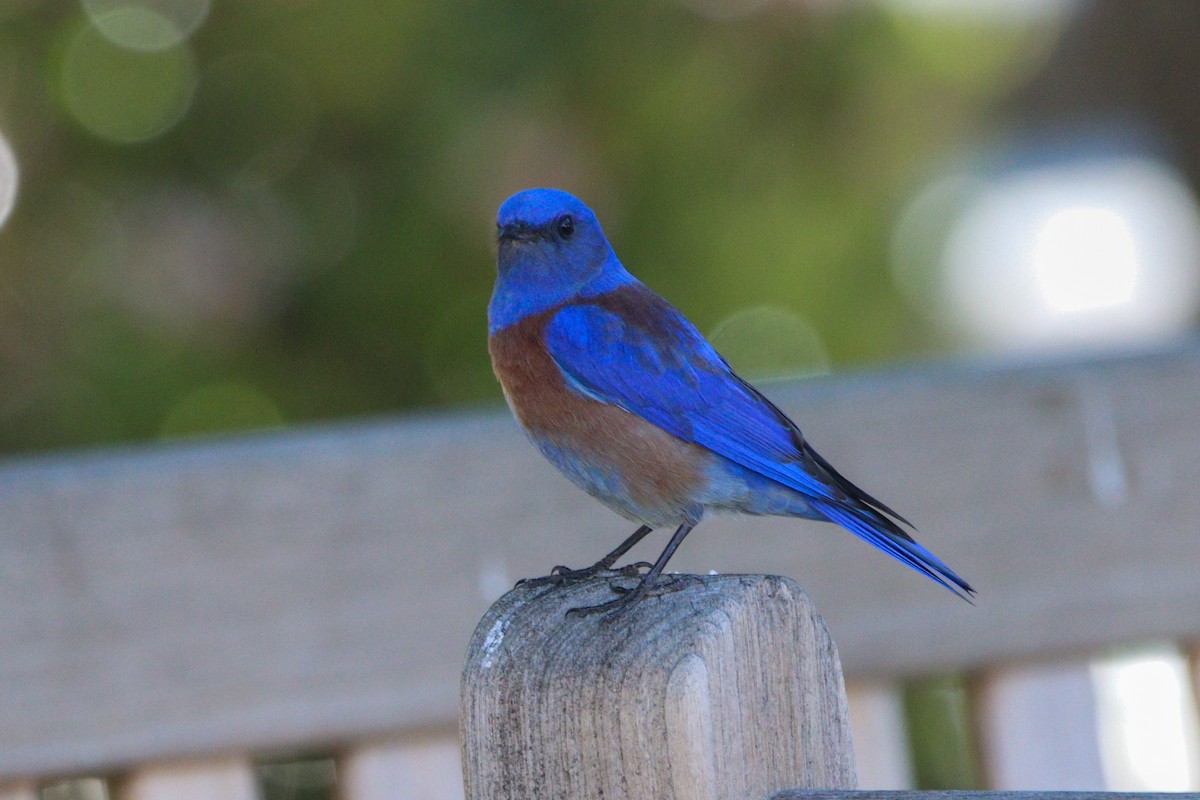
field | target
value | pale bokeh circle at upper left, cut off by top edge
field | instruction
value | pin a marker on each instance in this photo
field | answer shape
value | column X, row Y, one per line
column 147, row 25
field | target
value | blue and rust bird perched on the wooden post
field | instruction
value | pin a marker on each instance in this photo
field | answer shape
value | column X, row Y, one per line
column 620, row 392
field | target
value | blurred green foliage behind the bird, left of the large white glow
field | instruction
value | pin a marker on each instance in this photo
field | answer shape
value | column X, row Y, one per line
column 289, row 215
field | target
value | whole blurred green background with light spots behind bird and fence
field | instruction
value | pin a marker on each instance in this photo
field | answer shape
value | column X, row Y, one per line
column 220, row 216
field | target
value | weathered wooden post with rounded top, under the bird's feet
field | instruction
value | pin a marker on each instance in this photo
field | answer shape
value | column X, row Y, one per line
column 728, row 689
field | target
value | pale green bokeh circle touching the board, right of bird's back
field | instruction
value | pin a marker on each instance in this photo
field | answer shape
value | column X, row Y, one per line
column 770, row 342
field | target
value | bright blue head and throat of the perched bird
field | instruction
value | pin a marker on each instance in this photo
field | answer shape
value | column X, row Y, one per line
column 551, row 250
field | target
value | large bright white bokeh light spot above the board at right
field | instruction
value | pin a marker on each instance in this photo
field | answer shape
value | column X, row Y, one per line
column 1078, row 252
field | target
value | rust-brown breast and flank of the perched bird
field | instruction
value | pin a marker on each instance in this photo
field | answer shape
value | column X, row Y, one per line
column 661, row 472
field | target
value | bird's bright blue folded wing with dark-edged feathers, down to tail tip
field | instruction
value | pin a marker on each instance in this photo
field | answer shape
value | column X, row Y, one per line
column 643, row 356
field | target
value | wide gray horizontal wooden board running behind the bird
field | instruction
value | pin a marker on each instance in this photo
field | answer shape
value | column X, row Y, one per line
column 322, row 585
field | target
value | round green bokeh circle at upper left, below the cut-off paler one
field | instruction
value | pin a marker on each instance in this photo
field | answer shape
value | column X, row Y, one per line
column 123, row 95
